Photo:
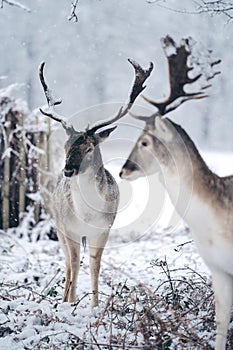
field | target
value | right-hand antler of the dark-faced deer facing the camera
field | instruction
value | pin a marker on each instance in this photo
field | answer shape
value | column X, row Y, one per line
column 140, row 77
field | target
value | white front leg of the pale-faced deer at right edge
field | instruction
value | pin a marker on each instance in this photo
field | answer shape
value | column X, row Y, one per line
column 223, row 291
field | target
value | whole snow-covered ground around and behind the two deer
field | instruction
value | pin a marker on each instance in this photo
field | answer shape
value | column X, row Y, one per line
column 155, row 291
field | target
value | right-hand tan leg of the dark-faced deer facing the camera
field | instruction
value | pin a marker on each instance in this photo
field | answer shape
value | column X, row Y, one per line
column 96, row 249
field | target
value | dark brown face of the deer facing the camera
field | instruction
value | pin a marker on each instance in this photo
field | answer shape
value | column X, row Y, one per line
column 79, row 150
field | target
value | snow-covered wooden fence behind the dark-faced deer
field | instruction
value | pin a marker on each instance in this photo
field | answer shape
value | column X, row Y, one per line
column 24, row 151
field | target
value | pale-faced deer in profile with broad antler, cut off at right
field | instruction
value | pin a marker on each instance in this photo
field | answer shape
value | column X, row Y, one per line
column 203, row 199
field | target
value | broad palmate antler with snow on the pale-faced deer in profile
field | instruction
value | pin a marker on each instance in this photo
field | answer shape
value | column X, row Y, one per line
column 178, row 75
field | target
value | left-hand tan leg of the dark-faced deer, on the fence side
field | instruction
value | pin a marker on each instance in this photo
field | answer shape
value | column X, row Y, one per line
column 72, row 270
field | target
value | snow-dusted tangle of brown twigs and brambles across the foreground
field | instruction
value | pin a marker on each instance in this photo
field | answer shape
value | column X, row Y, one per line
column 178, row 314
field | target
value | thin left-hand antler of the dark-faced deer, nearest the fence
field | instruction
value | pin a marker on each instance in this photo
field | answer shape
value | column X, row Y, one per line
column 51, row 102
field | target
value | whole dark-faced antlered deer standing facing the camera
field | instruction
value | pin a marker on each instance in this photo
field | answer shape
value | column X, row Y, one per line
column 86, row 195
